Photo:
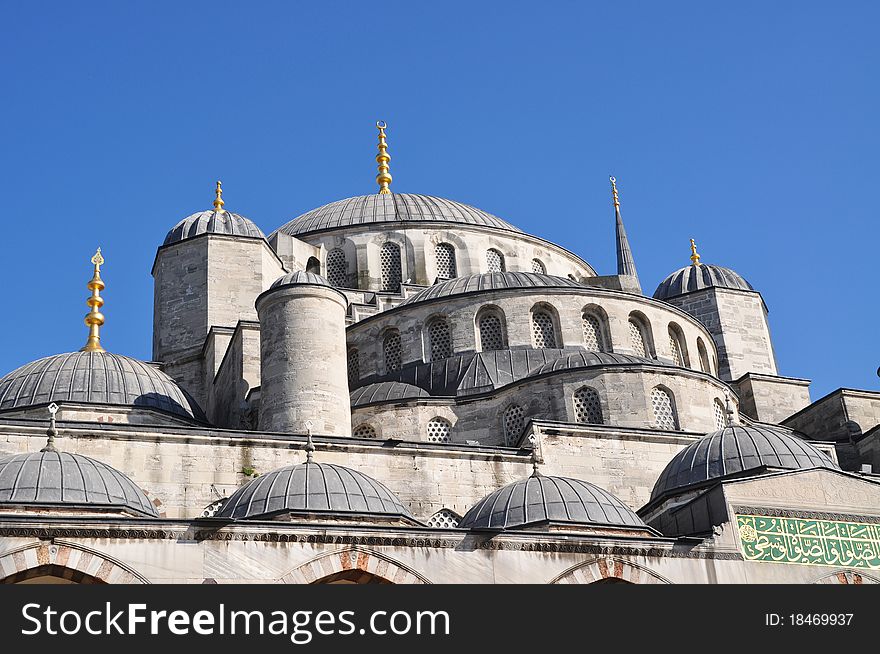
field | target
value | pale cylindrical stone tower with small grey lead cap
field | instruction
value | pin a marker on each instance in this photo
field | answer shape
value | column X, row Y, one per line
column 303, row 357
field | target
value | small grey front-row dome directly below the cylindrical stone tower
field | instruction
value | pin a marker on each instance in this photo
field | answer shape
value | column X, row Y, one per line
column 312, row 488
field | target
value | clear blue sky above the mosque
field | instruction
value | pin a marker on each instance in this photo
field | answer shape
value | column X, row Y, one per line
column 749, row 126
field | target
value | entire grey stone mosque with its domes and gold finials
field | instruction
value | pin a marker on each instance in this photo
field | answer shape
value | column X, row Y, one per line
column 401, row 388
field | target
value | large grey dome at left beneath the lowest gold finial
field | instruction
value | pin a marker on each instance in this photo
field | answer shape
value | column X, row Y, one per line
column 95, row 378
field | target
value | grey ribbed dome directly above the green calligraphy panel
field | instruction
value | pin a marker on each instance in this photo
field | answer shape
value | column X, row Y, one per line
column 736, row 450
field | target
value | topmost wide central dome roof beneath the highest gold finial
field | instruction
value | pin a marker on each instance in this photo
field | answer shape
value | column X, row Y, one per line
column 391, row 208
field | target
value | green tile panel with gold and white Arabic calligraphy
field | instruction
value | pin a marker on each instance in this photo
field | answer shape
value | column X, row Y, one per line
column 809, row 542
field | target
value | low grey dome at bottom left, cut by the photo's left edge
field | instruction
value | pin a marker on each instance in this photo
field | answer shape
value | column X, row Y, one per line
column 68, row 481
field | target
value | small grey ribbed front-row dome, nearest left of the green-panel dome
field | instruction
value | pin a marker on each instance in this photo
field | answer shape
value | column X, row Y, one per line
column 541, row 499
